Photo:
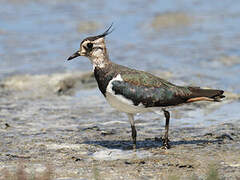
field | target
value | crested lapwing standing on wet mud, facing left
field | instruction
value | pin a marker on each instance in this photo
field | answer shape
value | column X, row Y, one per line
column 133, row 91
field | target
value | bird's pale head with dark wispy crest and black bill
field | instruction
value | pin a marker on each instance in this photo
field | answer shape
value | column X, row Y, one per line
column 93, row 47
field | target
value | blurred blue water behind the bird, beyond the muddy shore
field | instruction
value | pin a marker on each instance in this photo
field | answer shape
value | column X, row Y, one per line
column 195, row 42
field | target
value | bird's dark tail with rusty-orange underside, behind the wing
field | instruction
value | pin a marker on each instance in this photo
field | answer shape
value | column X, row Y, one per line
column 205, row 94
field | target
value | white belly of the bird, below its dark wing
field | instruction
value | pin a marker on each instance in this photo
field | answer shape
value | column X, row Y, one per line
column 124, row 105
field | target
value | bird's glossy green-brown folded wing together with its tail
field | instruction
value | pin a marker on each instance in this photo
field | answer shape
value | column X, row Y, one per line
column 151, row 91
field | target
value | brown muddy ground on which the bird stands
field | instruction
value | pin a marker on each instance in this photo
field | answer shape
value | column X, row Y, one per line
column 60, row 123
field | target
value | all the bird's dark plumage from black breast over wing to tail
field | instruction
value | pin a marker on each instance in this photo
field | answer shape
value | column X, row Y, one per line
column 144, row 88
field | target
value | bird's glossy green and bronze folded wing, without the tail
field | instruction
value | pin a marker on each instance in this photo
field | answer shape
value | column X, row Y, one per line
column 146, row 89
